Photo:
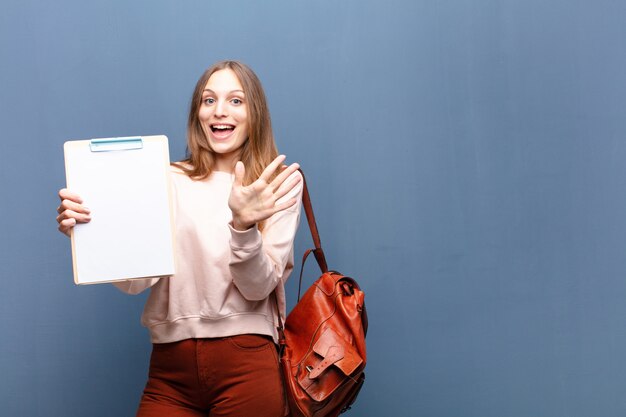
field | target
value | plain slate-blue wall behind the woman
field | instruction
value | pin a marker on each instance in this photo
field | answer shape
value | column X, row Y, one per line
column 466, row 160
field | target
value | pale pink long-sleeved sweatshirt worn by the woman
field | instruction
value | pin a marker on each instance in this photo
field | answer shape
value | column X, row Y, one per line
column 223, row 276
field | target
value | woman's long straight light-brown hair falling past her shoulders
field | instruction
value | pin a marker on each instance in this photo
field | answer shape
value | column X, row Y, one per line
column 256, row 152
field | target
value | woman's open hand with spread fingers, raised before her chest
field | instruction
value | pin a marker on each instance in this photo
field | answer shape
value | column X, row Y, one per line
column 257, row 202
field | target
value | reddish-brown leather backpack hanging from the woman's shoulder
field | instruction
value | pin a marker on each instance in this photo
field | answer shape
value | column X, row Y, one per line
column 322, row 344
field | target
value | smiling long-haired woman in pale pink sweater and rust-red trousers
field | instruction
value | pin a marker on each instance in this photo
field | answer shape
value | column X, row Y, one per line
column 236, row 209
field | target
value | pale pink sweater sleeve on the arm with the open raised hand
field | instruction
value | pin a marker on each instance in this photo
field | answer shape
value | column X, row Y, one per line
column 259, row 261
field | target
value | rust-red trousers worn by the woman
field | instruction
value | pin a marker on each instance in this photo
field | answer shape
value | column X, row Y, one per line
column 234, row 376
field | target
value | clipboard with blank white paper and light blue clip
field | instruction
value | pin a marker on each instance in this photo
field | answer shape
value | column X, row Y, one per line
column 125, row 183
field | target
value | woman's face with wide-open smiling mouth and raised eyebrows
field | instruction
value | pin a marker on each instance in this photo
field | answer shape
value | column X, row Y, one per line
column 223, row 115
